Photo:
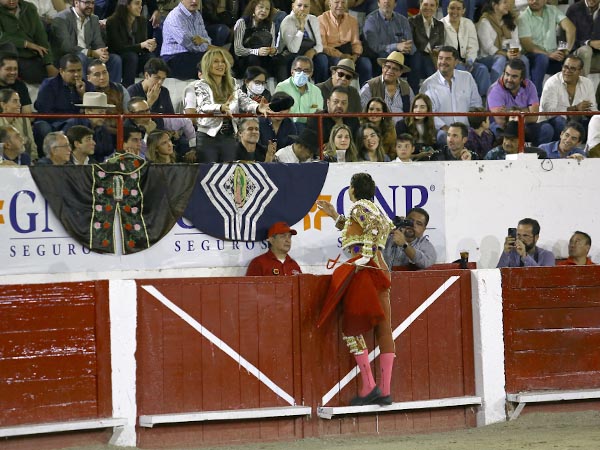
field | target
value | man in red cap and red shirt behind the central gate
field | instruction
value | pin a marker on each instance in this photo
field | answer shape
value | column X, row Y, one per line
column 276, row 261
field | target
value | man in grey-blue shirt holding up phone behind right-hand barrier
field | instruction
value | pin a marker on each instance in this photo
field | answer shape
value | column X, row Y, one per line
column 522, row 251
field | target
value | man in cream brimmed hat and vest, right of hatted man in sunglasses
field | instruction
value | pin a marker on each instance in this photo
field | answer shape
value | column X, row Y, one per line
column 394, row 90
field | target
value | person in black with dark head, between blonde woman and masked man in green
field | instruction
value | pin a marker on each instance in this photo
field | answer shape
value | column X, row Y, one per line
column 276, row 128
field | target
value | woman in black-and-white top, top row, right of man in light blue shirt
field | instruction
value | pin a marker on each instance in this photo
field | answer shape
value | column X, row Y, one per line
column 254, row 38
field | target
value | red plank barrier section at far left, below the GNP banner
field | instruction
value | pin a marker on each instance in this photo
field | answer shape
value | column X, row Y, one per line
column 54, row 352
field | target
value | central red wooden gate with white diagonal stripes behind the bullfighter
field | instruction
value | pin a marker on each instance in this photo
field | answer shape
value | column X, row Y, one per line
column 271, row 322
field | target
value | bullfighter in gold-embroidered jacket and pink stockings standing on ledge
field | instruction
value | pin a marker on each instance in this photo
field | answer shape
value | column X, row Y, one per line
column 366, row 296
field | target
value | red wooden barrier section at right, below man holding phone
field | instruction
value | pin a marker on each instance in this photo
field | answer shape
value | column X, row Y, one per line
column 552, row 328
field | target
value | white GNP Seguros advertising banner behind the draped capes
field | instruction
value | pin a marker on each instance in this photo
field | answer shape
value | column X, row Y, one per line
column 33, row 241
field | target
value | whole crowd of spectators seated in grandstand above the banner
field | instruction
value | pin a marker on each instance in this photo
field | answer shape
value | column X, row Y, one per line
column 325, row 56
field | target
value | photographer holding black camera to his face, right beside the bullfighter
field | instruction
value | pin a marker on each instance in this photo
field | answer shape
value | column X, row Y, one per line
column 407, row 247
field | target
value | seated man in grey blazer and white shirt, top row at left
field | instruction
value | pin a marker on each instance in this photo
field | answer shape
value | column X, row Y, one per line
column 68, row 38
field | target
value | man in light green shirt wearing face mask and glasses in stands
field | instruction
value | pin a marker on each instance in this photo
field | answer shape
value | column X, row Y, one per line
column 307, row 97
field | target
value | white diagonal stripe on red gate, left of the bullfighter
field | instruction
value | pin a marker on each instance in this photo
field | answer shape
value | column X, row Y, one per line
column 220, row 344
